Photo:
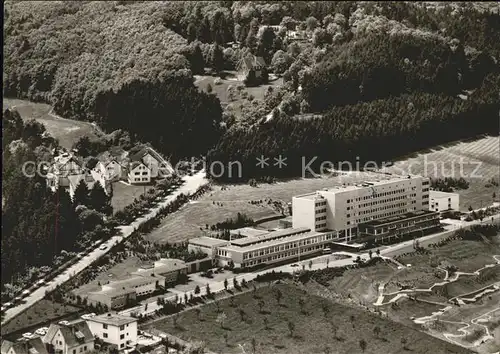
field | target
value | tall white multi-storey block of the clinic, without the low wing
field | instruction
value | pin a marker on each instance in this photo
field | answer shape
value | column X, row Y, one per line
column 343, row 208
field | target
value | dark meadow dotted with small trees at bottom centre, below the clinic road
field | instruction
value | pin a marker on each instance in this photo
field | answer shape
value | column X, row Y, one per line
column 311, row 332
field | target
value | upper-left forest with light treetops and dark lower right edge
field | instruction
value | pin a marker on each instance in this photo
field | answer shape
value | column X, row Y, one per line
column 117, row 65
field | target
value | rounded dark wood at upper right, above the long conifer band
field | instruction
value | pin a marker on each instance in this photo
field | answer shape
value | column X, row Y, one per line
column 379, row 66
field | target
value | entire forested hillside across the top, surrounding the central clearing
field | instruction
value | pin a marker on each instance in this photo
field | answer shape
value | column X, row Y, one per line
column 397, row 76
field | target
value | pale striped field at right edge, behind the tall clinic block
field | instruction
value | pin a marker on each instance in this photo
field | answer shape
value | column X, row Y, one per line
column 477, row 161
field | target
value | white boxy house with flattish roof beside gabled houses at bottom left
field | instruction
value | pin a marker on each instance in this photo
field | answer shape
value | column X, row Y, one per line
column 114, row 329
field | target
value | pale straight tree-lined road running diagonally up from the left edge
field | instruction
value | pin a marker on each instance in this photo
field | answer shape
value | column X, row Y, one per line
column 190, row 185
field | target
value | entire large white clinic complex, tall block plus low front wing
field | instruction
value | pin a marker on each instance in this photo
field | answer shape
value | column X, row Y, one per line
column 378, row 211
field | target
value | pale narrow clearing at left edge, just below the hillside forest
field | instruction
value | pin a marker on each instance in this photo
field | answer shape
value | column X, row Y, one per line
column 67, row 131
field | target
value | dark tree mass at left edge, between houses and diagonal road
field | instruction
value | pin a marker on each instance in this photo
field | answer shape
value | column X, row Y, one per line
column 38, row 224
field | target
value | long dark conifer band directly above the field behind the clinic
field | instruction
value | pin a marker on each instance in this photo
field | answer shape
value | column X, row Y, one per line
column 378, row 130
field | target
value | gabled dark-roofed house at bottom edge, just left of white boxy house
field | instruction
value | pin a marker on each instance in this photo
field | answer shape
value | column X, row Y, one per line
column 73, row 338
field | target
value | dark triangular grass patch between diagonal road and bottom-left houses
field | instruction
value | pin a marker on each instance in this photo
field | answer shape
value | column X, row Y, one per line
column 41, row 312
